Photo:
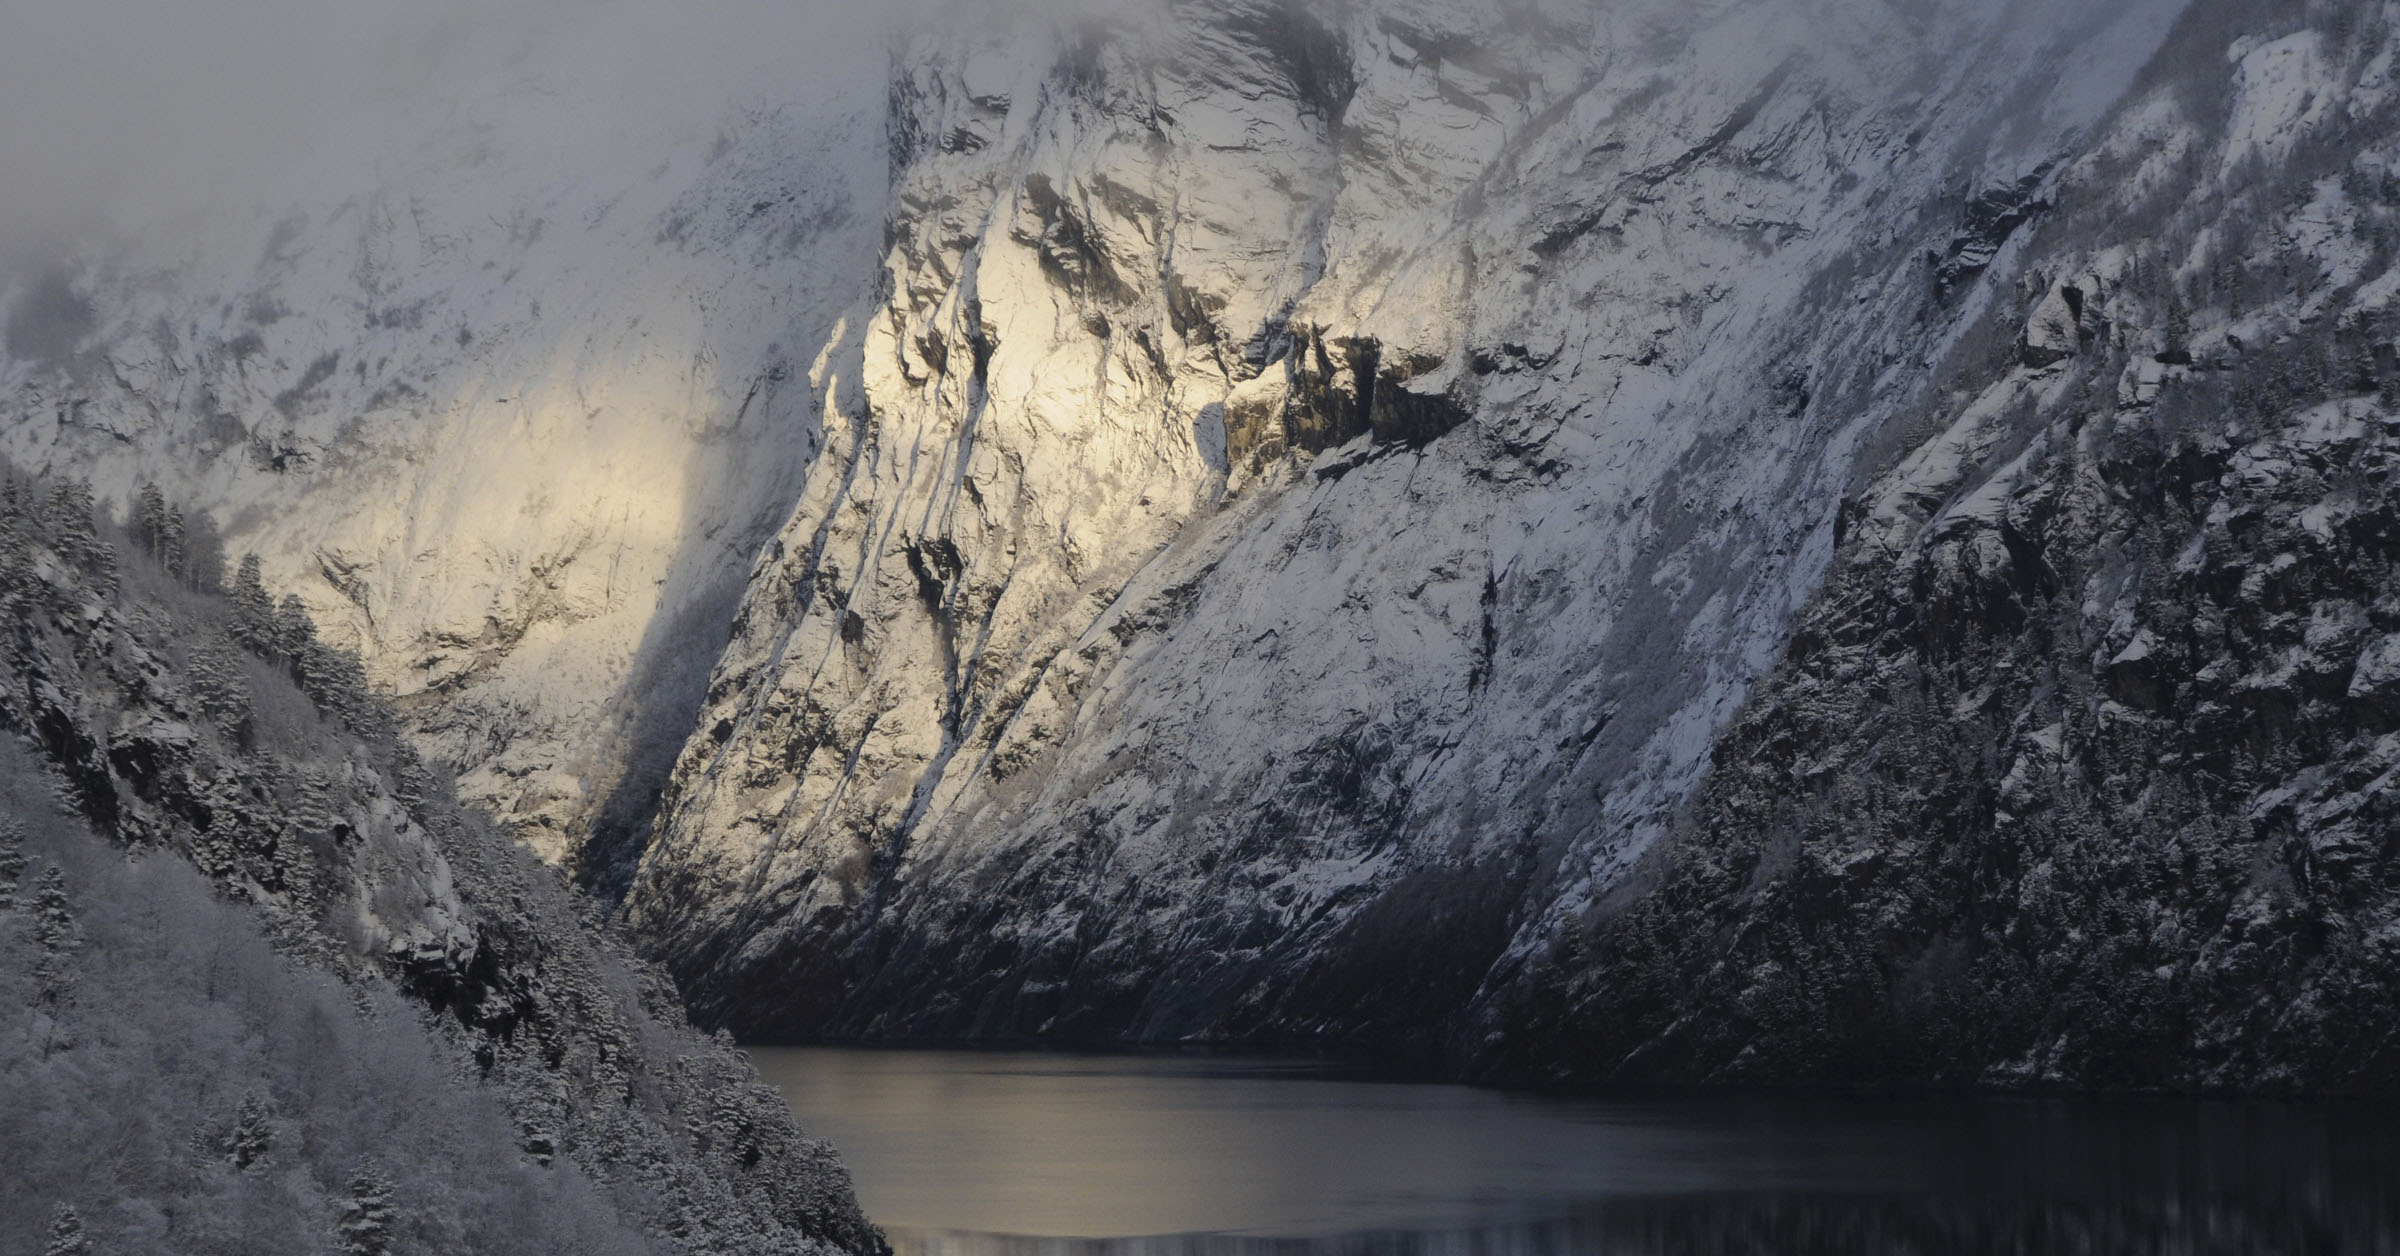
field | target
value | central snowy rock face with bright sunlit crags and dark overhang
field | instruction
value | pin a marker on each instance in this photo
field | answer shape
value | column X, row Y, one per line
column 1316, row 484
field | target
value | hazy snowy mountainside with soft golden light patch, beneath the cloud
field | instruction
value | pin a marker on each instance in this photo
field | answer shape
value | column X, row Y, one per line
column 508, row 385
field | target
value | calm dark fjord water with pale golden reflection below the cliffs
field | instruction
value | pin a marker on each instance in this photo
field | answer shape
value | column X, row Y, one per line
column 1002, row 1154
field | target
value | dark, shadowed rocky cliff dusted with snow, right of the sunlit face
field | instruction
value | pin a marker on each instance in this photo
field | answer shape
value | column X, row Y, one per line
column 2082, row 772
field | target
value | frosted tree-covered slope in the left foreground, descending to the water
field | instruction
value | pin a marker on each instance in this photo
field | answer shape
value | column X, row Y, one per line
column 270, row 988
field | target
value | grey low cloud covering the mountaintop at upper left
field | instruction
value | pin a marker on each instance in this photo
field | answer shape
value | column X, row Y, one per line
column 136, row 112
